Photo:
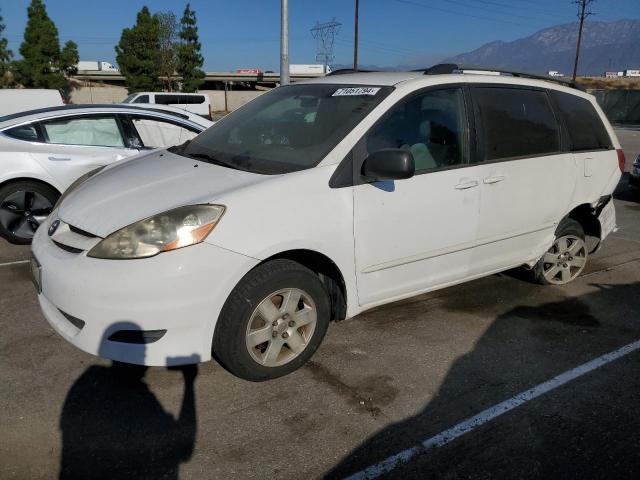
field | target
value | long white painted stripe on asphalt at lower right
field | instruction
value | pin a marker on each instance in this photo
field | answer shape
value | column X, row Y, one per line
column 390, row 463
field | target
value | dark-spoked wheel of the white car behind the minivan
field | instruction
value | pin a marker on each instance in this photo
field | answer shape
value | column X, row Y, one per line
column 10, row 212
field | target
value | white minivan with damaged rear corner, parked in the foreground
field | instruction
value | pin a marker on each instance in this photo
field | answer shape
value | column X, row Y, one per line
column 318, row 201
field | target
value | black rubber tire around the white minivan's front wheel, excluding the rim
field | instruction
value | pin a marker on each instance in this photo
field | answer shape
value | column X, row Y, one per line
column 230, row 337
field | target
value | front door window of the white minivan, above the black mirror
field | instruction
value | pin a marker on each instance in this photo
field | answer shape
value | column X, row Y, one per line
column 431, row 125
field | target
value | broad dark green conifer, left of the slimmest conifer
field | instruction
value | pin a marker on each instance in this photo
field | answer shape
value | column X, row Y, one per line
column 138, row 53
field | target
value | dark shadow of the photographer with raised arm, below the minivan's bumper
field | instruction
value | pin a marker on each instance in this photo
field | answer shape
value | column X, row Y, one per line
column 113, row 427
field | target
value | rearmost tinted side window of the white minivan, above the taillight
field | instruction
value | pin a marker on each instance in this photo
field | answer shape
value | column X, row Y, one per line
column 585, row 128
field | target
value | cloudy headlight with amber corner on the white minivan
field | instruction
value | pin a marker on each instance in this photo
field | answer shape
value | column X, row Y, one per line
column 167, row 231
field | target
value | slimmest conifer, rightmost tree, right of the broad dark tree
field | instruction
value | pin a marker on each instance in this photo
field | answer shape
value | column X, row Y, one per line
column 189, row 58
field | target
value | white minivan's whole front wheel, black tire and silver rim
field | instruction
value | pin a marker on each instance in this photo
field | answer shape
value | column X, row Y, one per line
column 273, row 321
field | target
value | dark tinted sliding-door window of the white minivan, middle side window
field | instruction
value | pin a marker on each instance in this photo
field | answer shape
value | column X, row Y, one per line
column 515, row 122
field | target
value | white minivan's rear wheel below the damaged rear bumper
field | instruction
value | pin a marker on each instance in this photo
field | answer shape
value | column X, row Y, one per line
column 566, row 258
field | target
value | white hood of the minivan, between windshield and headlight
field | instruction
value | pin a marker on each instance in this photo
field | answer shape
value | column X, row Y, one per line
column 146, row 185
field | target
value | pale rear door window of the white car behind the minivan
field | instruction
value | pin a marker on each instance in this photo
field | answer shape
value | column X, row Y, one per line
column 96, row 131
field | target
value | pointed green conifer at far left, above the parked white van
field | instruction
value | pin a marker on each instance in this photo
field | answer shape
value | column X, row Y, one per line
column 40, row 65
